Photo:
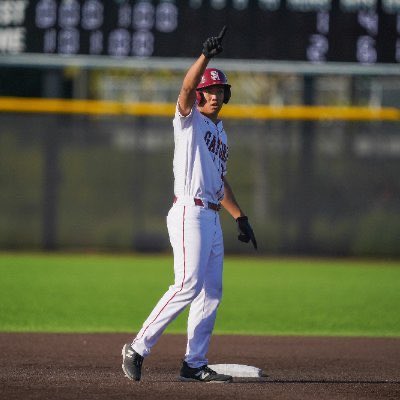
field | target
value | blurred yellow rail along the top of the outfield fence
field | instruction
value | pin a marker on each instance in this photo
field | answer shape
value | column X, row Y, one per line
column 232, row 111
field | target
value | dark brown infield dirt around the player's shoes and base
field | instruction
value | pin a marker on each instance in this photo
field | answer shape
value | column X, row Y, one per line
column 88, row 366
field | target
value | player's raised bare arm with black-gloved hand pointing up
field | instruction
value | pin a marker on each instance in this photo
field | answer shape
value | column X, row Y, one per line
column 187, row 96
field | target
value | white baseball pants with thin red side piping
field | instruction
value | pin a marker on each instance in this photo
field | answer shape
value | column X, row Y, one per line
column 196, row 238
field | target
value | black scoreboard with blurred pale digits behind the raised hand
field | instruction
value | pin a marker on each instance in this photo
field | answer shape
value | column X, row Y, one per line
column 358, row 31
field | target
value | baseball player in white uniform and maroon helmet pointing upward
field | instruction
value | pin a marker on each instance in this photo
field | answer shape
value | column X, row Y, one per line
column 201, row 187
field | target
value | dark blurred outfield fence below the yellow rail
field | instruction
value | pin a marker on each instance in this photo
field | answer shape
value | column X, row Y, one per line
column 81, row 182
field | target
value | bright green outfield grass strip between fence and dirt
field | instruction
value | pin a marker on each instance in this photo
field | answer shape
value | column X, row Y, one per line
column 106, row 293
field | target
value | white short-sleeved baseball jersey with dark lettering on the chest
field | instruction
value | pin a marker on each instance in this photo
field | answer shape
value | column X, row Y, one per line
column 200, row 157
